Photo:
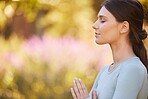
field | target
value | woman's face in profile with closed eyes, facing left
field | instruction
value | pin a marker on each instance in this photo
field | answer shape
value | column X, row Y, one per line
column 106, row 27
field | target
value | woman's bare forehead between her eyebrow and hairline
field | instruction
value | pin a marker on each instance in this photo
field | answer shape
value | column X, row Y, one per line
column 105, row 13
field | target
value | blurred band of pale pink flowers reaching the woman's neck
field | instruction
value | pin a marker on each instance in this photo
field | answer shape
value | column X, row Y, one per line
column 66, row 51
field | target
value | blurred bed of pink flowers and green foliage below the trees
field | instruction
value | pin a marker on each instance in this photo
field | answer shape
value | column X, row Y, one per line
column 44, row 68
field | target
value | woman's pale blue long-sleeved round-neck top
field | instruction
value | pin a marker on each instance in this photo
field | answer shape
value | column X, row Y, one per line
column 127, row 81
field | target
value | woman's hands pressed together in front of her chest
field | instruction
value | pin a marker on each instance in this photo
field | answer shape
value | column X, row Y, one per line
column 79, row 90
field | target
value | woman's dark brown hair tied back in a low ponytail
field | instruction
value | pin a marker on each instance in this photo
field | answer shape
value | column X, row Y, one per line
column 131, row 11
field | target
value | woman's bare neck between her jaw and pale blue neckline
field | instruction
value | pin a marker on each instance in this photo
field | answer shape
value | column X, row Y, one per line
column 121, row 52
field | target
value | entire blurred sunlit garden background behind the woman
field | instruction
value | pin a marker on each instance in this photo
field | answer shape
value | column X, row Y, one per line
column 45, row 44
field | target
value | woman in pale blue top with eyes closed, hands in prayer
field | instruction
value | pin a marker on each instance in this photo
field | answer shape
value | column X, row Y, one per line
column 119, row 24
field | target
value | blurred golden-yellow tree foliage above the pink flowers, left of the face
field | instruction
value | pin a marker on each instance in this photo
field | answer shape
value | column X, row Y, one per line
column 56, row 17
